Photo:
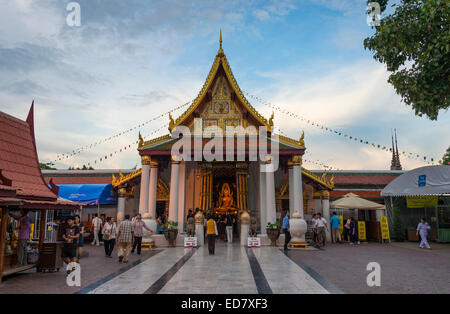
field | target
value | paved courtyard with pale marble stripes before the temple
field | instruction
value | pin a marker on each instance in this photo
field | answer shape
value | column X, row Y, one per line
column 235, row 269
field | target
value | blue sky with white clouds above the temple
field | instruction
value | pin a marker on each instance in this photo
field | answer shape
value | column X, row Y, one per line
column 131, row 61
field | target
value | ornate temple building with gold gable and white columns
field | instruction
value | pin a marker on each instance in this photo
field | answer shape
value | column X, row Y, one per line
column 169, row 185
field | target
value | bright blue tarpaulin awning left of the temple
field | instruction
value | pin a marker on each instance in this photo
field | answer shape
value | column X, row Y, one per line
column 88, row 194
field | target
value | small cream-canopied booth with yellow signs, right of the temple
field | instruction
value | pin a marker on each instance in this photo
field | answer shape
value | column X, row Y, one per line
column 370, row 216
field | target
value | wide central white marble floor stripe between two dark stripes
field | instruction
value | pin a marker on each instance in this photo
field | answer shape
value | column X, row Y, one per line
column 228, row 271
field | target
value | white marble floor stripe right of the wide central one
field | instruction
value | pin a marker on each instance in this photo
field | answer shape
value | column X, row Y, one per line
column 283, row 275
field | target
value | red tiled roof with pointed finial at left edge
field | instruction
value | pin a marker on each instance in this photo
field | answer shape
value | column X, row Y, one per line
column 19, row 163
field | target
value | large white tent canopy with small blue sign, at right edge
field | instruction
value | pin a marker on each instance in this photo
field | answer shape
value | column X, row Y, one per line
column 429, row 180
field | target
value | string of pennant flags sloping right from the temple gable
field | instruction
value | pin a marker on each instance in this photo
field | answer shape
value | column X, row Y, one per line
column 426, row 159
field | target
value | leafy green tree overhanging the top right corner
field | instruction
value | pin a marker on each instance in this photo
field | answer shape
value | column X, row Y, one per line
column 414, row 43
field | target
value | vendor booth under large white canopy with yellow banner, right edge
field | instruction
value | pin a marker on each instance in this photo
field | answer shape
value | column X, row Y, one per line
column 421, row 193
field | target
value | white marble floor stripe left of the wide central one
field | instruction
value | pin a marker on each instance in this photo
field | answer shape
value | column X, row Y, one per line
column 139, row 278
